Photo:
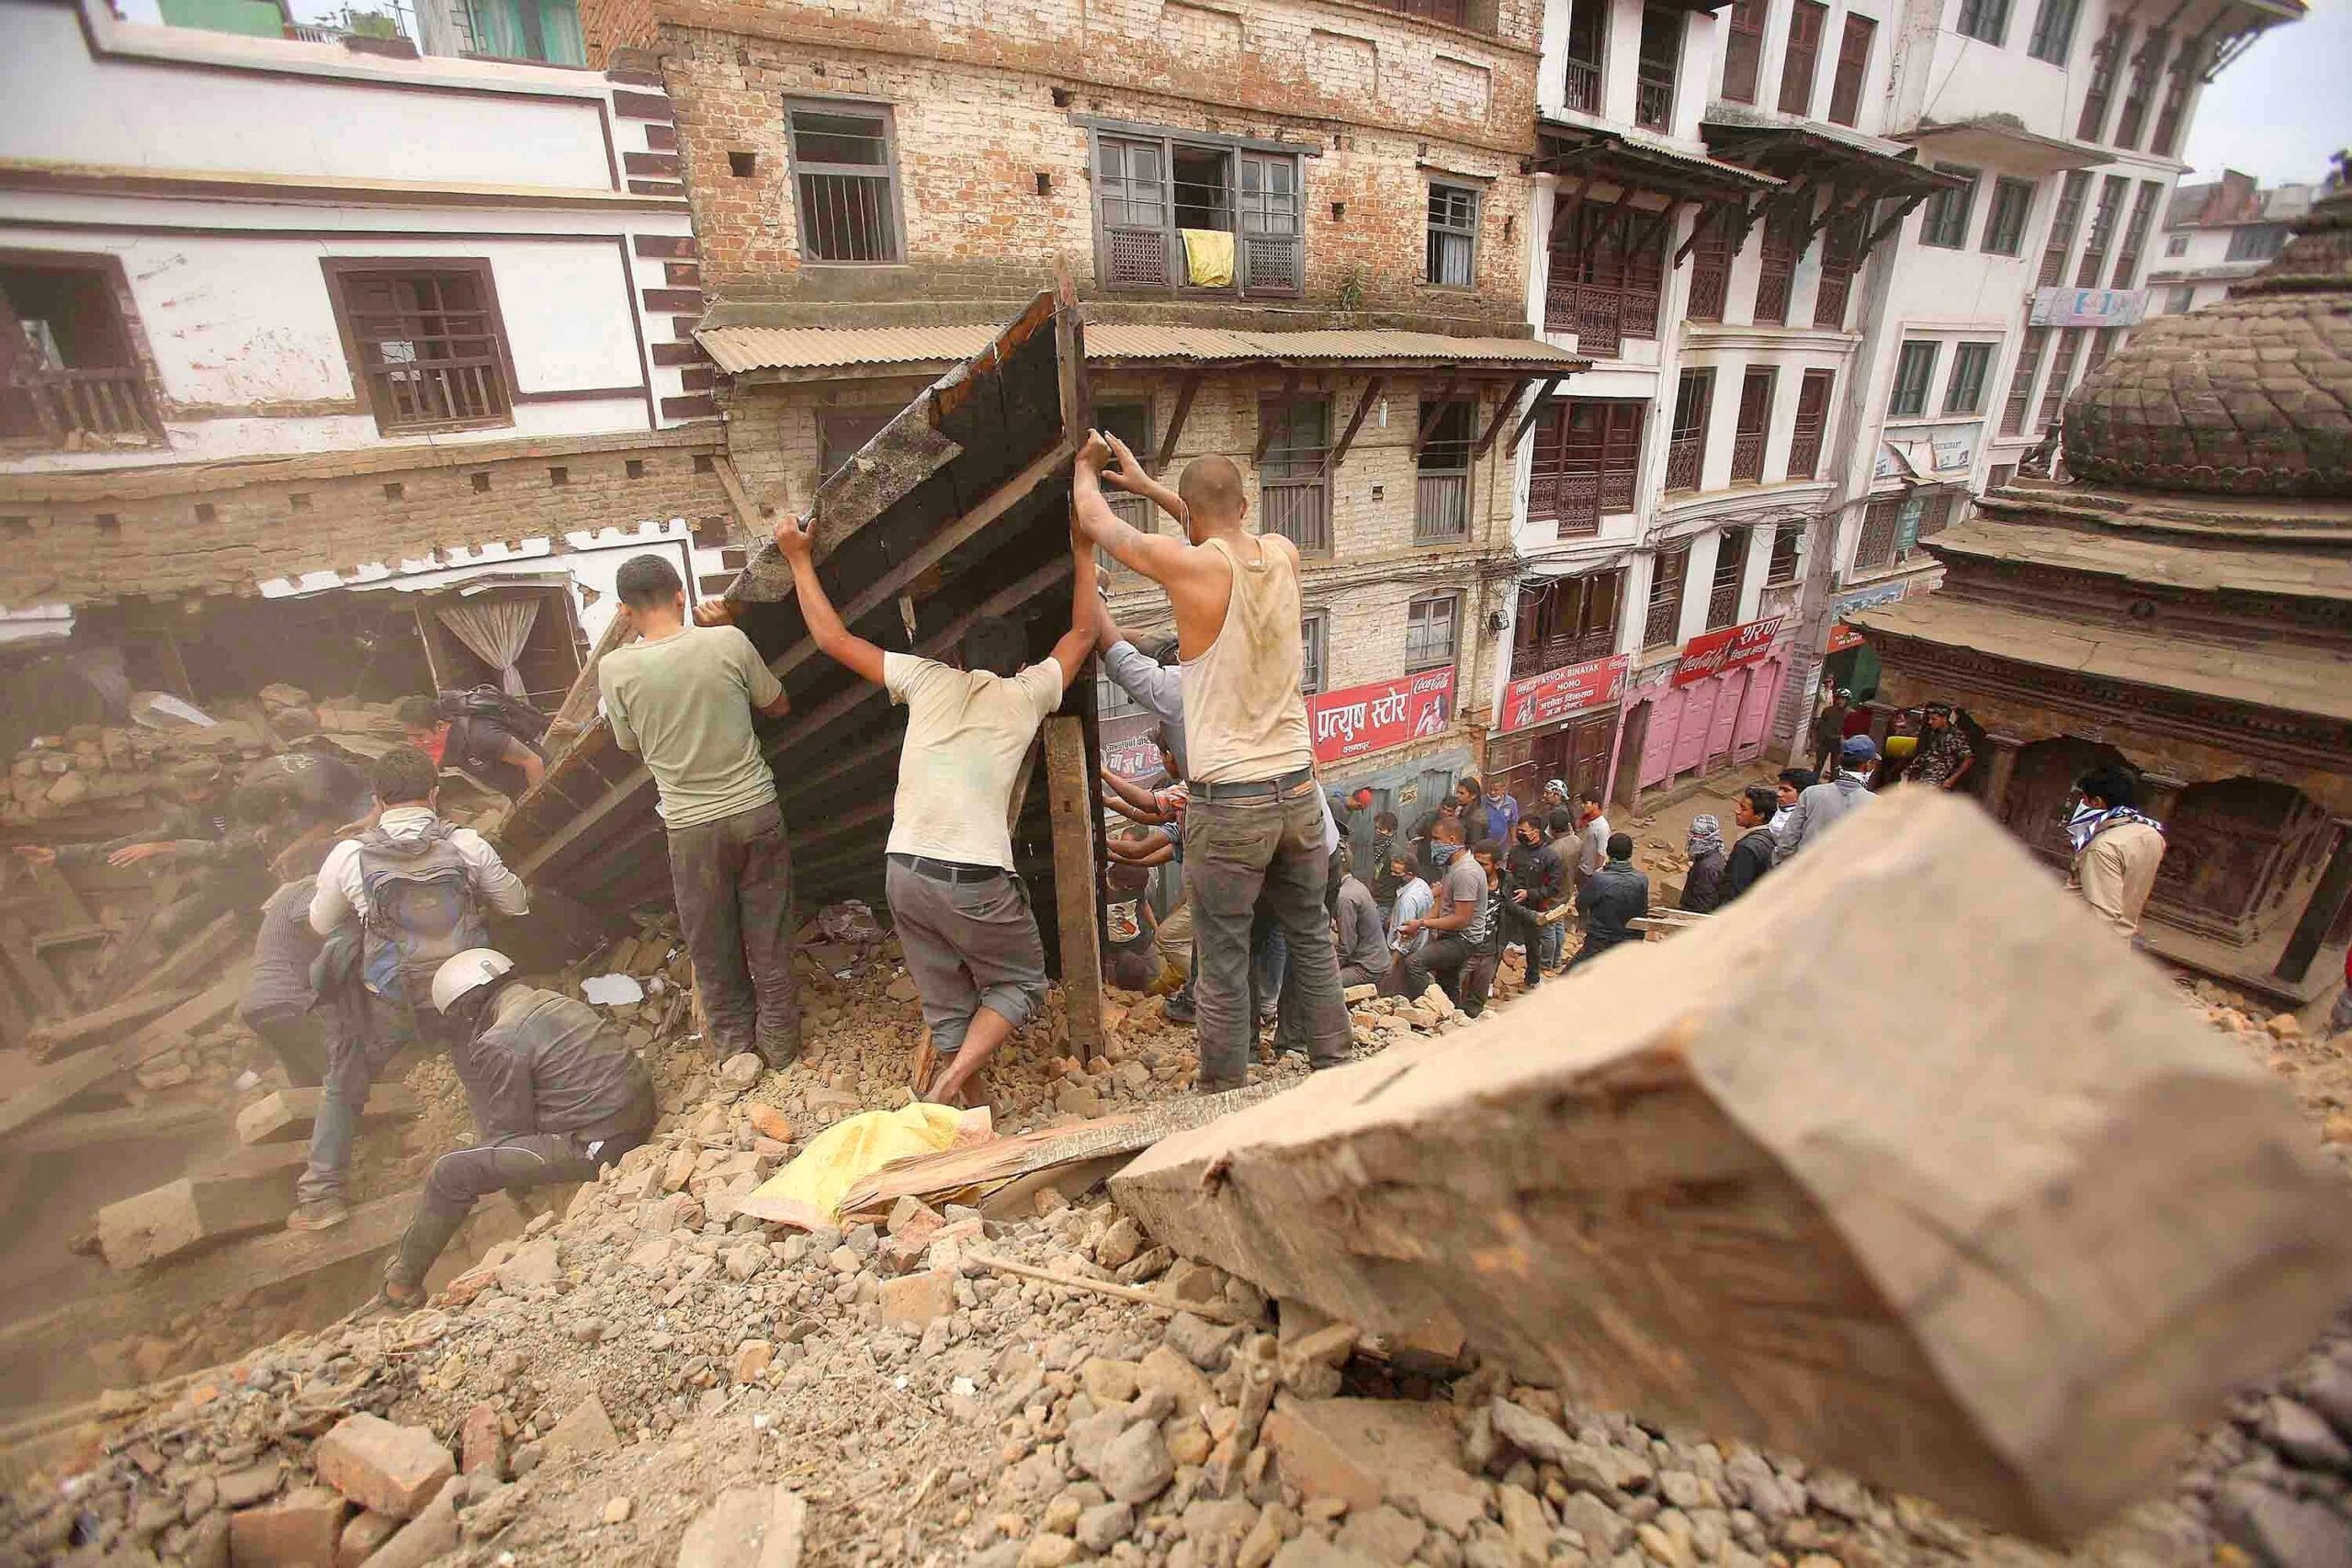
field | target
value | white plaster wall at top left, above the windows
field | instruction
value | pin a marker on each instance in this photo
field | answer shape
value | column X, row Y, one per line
column 67, row 107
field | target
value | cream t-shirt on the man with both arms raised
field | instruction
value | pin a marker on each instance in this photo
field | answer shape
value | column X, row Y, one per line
column 965, row 739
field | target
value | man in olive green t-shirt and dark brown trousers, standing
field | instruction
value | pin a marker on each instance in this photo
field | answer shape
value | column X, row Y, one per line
column 683, row 697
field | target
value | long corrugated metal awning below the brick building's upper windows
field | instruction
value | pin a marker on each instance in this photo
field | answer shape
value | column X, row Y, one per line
column 751, row 349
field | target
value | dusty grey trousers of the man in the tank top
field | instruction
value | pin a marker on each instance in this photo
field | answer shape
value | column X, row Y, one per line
column 1243, row 843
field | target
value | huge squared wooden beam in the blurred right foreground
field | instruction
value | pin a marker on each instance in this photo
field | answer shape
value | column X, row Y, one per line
column 1993, row 1266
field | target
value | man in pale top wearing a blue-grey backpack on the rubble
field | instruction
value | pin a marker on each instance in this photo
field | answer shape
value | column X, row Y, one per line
column 394, row 904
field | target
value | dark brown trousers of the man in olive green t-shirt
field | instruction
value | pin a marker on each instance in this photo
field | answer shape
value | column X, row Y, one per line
column 735, row 904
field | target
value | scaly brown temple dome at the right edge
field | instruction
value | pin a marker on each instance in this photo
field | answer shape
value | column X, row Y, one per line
column 2252, row 396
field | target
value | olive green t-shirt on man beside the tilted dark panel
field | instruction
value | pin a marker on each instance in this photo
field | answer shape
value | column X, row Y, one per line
column 683, row 704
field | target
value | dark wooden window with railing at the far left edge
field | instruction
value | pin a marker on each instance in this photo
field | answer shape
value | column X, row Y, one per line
column 69, row 375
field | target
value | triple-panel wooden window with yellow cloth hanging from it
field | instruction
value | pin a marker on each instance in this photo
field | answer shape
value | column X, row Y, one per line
column 1238, row 215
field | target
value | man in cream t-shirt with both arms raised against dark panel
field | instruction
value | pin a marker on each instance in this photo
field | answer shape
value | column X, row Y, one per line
column 961, row 909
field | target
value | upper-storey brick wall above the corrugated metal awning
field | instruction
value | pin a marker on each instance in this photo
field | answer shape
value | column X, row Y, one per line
column 980, row 123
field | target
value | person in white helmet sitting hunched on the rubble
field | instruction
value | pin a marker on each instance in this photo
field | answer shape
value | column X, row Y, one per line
column 561, row 1097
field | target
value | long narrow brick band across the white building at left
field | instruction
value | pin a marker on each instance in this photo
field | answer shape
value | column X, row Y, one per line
column 211, row 530
